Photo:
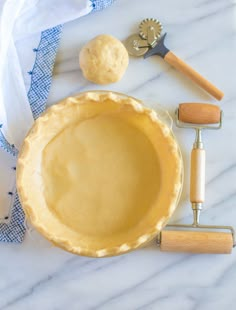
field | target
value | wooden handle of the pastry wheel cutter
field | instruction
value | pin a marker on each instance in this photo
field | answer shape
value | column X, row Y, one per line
column 181, row 66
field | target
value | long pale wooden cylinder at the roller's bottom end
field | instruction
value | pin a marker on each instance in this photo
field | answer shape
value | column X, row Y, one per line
column 196, row 242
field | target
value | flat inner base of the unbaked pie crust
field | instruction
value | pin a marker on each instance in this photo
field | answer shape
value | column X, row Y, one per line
column 105, row 178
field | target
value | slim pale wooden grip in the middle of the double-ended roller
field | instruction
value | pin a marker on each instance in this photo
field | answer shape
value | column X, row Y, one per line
column 197, row 179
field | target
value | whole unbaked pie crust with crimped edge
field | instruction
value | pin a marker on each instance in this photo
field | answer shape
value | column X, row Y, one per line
column 99, row 174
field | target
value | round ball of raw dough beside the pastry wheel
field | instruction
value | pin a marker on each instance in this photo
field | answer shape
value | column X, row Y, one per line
column 103, row 60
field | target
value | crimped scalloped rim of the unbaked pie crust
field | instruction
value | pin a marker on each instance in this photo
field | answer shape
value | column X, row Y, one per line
column 99, row 96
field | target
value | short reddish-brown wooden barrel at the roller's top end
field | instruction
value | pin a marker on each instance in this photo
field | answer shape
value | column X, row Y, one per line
column 199, row 113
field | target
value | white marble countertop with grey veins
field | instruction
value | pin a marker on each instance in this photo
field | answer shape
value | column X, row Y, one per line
column 36, row 275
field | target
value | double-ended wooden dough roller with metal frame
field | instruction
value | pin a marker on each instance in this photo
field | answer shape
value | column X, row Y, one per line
column 201, row 238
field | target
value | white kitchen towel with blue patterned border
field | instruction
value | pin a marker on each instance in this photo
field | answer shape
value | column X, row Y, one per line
column 29, row 37
